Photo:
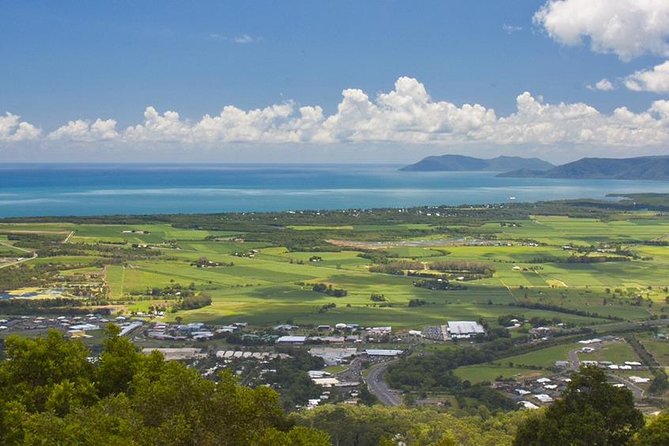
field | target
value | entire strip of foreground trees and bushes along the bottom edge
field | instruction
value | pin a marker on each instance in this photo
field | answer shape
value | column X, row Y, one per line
column 53, row 394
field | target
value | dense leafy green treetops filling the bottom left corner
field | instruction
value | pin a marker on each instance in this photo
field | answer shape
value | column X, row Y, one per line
column 53, row 395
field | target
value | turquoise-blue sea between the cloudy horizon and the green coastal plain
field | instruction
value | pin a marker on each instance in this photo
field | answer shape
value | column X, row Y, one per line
column 89, row 189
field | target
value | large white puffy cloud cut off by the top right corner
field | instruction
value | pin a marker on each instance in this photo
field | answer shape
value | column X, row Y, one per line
column 627, row 28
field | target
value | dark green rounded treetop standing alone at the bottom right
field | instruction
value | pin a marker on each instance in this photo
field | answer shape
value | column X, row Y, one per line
column 591, row 412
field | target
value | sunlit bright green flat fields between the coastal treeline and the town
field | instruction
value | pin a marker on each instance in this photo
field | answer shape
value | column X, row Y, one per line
column 269, row 283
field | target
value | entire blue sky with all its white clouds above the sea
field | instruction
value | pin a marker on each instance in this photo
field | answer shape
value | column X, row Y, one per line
column 332, row 81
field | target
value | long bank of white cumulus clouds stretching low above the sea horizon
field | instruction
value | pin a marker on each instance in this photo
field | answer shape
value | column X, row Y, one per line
column 406, row 115
